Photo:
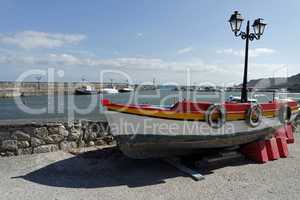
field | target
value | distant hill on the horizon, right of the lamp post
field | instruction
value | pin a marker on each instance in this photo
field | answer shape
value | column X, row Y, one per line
column 292, row 83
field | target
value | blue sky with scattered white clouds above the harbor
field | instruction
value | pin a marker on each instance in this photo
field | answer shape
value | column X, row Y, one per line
column 169, row 40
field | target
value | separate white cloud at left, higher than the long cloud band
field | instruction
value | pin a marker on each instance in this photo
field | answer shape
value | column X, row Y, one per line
column 34, row 39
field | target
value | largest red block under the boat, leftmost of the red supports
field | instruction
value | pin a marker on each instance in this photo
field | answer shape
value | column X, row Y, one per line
column 256, row 151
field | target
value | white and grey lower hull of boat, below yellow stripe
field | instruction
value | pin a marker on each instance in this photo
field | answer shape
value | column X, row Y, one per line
column 146, row 137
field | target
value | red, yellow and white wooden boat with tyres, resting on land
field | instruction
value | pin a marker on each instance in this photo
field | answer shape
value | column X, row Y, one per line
column 144, row 131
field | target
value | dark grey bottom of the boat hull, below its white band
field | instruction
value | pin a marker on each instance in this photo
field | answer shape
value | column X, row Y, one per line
column 157, row 146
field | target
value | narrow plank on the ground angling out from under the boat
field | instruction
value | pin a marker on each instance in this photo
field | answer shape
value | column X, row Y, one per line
column 175, row 162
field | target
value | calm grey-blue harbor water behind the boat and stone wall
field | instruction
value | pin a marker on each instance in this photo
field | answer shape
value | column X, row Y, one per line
column 89, row 107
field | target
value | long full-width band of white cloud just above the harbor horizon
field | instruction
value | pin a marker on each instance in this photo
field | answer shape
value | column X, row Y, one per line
column 142, row 68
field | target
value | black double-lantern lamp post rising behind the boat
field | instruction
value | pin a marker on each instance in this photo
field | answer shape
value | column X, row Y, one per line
column 236, row 21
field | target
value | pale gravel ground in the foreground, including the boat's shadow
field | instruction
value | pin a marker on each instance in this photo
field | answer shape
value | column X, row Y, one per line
column 109, row 175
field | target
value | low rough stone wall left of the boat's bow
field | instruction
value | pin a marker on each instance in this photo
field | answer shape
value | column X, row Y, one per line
column 33, row 138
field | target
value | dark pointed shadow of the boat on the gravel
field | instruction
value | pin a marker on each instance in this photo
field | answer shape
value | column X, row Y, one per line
column 105, row 168
